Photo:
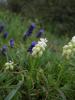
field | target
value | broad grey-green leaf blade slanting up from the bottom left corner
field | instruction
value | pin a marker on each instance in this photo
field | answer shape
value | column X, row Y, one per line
column 13, row 92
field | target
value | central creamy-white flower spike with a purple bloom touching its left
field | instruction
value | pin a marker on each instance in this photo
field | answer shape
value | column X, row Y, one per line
column 38, row 49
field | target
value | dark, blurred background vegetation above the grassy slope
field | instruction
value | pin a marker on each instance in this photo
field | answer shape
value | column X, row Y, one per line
column 59, row 13
